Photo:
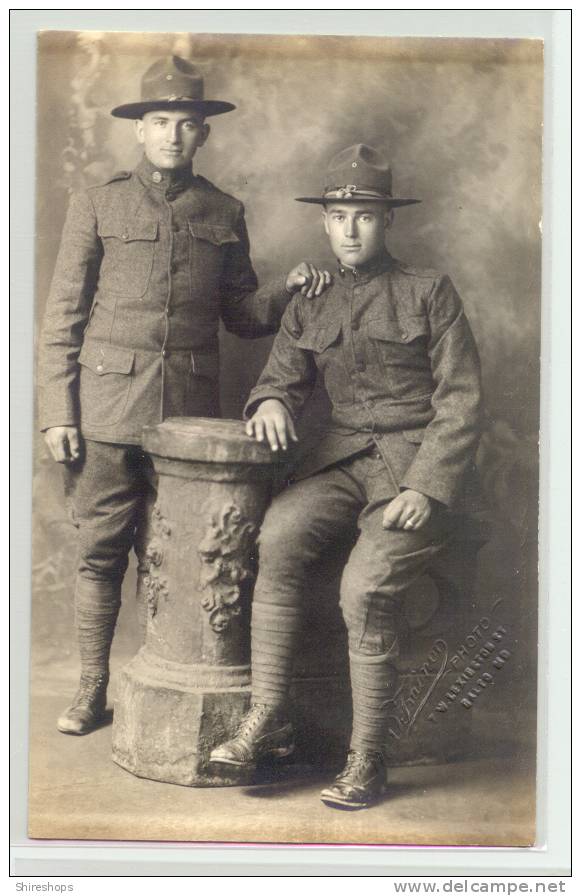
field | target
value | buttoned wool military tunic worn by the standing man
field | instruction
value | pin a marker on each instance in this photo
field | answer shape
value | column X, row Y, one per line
column 149, row 264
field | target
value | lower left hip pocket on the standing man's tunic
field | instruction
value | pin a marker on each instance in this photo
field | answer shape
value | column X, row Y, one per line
column 105, row 382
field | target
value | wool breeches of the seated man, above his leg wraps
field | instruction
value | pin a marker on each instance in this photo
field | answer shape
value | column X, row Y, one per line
column 328, row 509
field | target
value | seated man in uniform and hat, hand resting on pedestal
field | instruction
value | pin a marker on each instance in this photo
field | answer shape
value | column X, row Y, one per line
column 401, row 369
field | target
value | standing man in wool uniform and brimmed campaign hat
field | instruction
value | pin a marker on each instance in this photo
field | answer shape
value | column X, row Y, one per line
column 149, row 263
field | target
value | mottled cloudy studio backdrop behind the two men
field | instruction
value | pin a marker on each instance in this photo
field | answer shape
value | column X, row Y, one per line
column 461, row 121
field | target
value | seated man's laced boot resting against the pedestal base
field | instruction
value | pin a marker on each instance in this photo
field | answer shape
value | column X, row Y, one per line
column 261, row 735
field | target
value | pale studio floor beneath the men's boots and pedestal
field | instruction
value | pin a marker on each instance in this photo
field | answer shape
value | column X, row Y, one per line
column 77, row 792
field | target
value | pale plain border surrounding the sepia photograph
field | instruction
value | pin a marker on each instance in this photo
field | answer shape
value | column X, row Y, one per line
column 551, row 855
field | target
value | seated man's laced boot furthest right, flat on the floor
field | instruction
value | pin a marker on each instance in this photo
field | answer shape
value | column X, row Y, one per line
column 360, row 784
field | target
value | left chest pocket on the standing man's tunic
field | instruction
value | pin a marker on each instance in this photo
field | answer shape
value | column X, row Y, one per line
column 128, row 253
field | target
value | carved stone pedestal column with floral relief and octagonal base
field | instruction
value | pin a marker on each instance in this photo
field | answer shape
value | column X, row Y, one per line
column 188, row 686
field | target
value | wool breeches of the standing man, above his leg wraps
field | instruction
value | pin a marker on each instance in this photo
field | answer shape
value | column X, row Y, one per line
column 109, row 492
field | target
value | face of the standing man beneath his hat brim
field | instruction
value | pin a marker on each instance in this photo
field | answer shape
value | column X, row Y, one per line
column 171, row 138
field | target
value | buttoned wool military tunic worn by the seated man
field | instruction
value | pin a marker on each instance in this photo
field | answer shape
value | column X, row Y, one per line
column 401, row 369
